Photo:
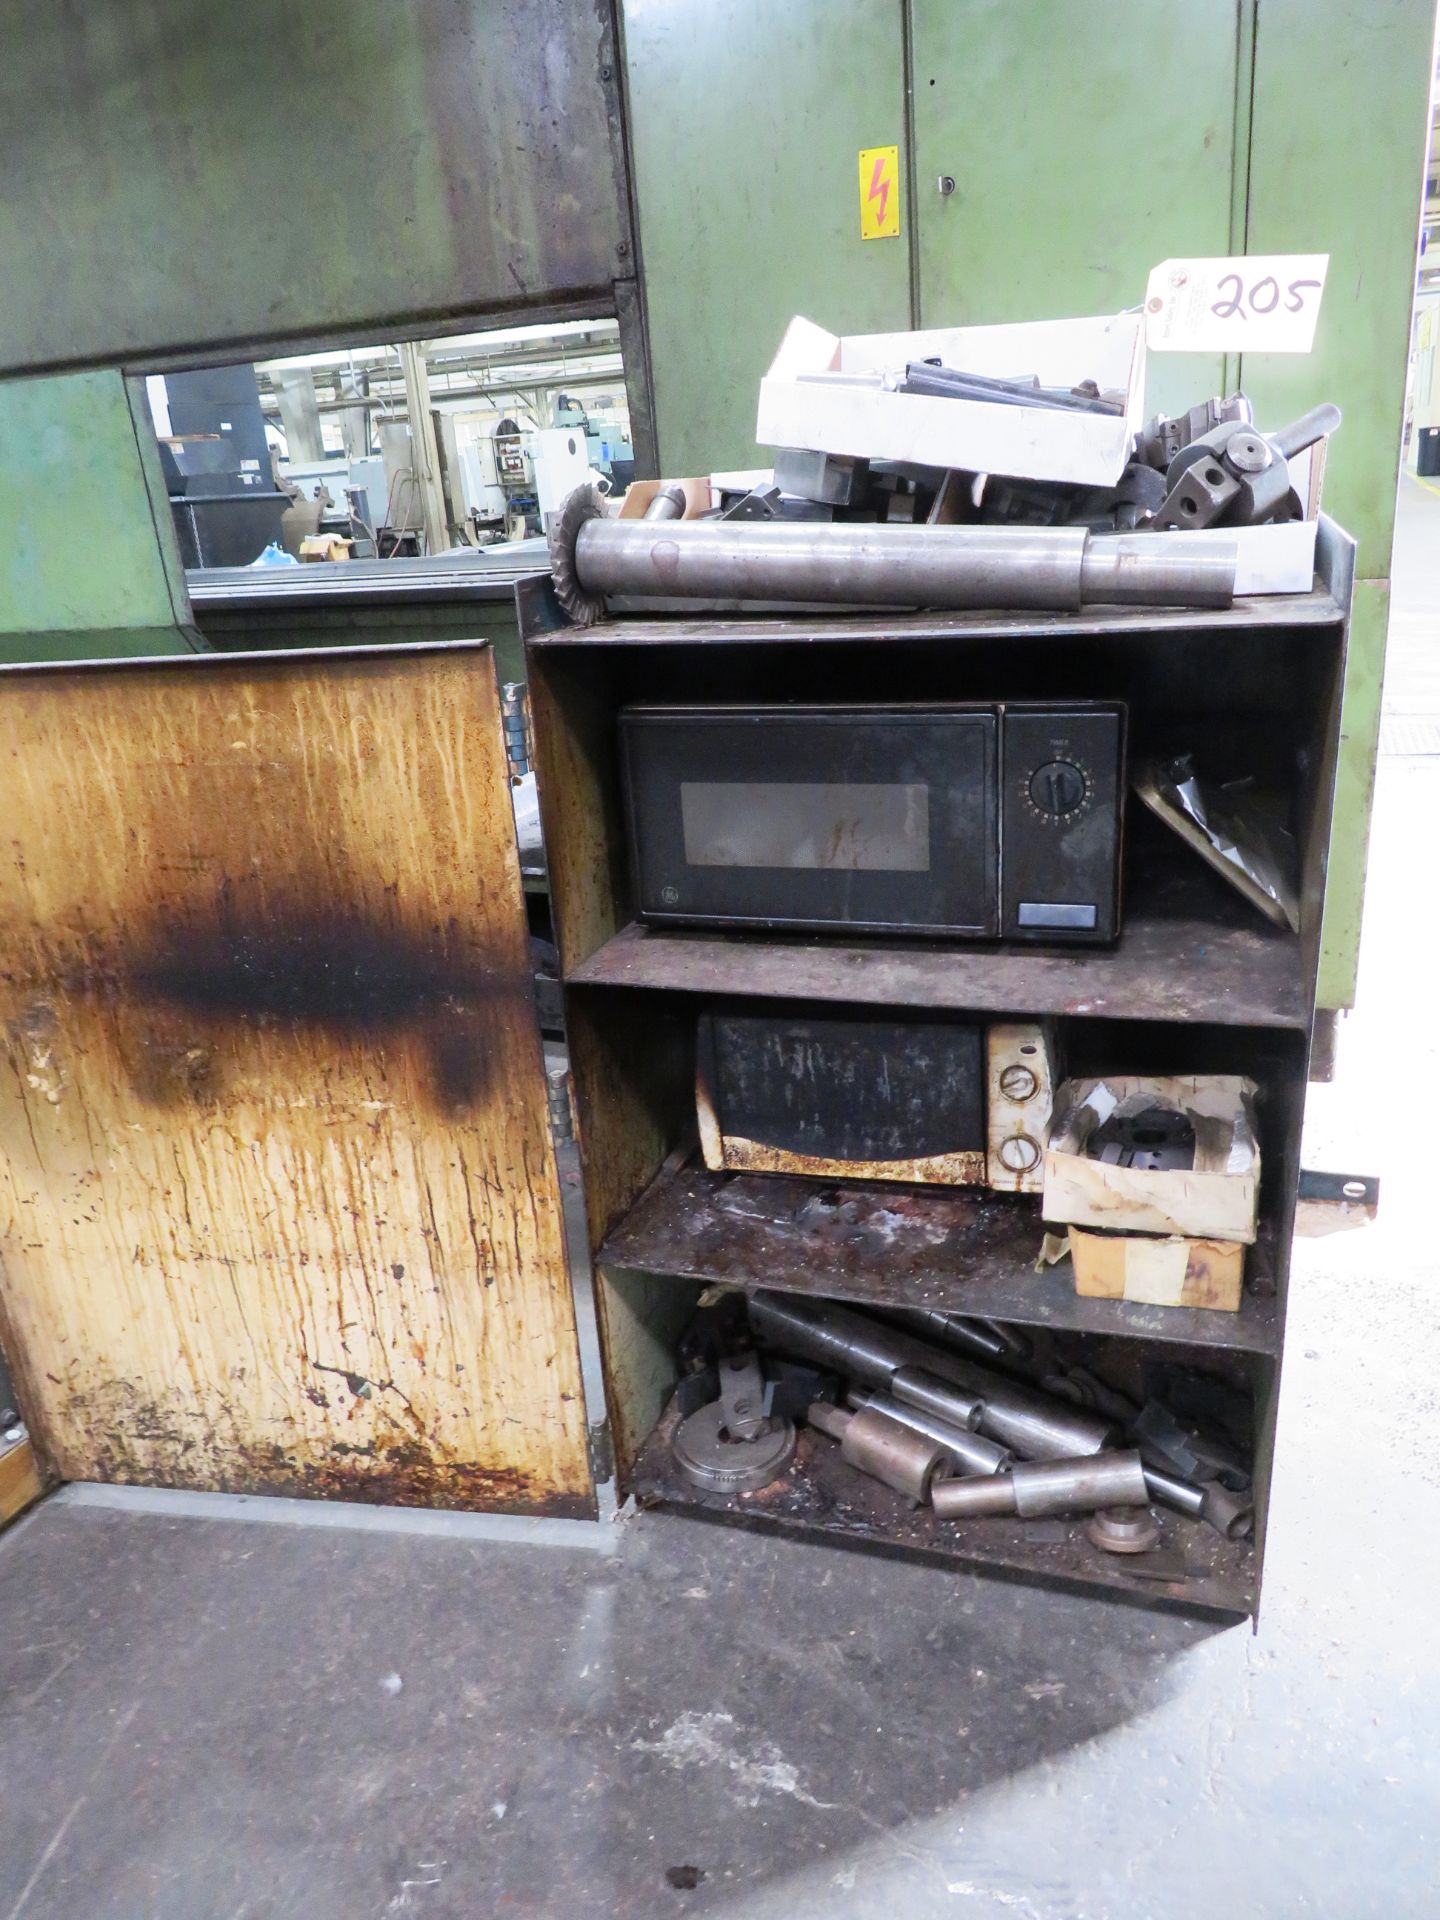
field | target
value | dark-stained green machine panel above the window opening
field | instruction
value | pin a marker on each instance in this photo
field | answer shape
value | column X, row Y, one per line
column 189, row 178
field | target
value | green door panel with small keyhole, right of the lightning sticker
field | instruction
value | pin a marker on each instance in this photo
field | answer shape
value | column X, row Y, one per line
column 1063, row 151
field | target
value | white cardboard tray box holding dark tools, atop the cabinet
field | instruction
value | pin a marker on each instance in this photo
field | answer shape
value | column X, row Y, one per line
column 1026, row 443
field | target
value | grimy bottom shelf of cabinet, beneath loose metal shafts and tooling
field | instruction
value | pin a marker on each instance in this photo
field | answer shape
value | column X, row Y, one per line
column 821, row 1499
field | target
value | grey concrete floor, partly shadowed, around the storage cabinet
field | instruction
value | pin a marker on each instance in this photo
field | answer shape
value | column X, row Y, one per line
column 254, row 1719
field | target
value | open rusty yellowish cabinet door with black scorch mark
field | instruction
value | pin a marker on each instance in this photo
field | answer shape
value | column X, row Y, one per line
column 279, row 1207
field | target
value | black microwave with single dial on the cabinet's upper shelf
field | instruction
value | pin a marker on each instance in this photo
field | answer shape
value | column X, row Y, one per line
column 951, row 821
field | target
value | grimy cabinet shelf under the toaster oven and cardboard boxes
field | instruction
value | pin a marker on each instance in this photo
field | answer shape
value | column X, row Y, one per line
column 878, row 1245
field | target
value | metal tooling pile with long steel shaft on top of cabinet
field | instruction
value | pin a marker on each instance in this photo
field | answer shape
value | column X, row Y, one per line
column 915, row 537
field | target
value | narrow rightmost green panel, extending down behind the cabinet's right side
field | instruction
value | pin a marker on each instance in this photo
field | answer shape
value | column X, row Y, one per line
column 1341, row 110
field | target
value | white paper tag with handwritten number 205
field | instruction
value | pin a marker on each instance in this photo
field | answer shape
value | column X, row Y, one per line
column 1251, row 304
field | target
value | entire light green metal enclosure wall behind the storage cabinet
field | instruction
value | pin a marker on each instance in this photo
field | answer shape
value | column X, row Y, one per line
column 1088, row 141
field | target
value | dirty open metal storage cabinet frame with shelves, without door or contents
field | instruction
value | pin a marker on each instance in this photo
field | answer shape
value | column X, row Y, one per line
column 1195, row 984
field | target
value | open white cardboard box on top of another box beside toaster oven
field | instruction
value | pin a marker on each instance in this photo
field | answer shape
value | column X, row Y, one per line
column 1212, row 1201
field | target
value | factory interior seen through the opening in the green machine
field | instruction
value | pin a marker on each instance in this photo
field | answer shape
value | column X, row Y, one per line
column 391, row 450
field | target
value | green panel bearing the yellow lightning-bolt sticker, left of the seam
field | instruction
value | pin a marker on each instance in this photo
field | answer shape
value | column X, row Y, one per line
column 746, row 124
